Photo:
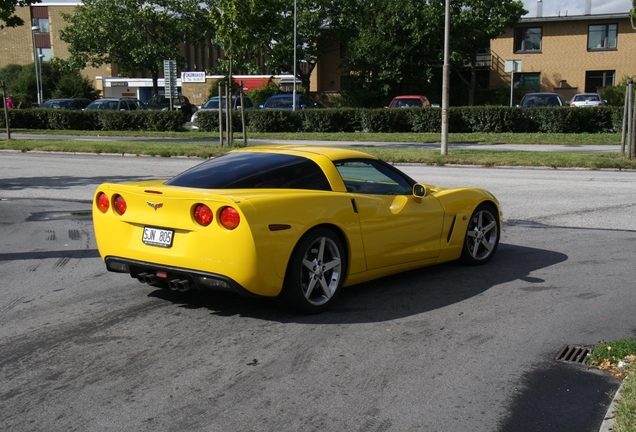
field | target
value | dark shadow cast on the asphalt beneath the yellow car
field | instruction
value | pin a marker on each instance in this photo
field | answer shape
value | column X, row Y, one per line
column 402, row 295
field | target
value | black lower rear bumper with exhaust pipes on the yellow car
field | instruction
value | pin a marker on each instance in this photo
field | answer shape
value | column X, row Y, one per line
column 175, row 278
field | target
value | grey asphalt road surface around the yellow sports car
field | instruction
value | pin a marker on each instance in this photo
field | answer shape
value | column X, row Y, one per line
column 446, row 348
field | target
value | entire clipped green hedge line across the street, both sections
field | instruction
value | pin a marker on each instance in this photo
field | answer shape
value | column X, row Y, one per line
column 460, row 120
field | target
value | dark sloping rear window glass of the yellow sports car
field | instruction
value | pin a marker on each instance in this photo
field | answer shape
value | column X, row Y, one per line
column 254, row 170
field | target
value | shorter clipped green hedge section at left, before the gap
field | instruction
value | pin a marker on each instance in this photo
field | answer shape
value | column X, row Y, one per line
column 56, row 119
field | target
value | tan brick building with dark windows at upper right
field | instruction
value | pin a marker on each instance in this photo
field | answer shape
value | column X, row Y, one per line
column 565, row 54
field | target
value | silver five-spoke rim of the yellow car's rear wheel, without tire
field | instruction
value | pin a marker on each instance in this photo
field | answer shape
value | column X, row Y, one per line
column 321, row 271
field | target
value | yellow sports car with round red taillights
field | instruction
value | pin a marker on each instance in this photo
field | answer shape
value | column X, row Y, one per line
column 294, row 221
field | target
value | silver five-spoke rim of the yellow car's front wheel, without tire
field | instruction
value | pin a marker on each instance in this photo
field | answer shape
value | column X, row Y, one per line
column 482, row 235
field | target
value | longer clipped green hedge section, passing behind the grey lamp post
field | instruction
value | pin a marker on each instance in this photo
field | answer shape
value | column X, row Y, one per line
column 460, row 120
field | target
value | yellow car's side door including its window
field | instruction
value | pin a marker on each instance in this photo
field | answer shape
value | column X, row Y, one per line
column 396, row 228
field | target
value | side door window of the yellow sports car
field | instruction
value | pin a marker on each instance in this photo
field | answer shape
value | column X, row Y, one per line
column 367, row 176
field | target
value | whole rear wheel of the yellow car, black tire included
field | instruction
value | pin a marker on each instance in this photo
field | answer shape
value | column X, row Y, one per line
column 316, row 271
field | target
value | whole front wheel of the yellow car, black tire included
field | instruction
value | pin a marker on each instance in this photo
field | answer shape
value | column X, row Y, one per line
column 482, row 235
